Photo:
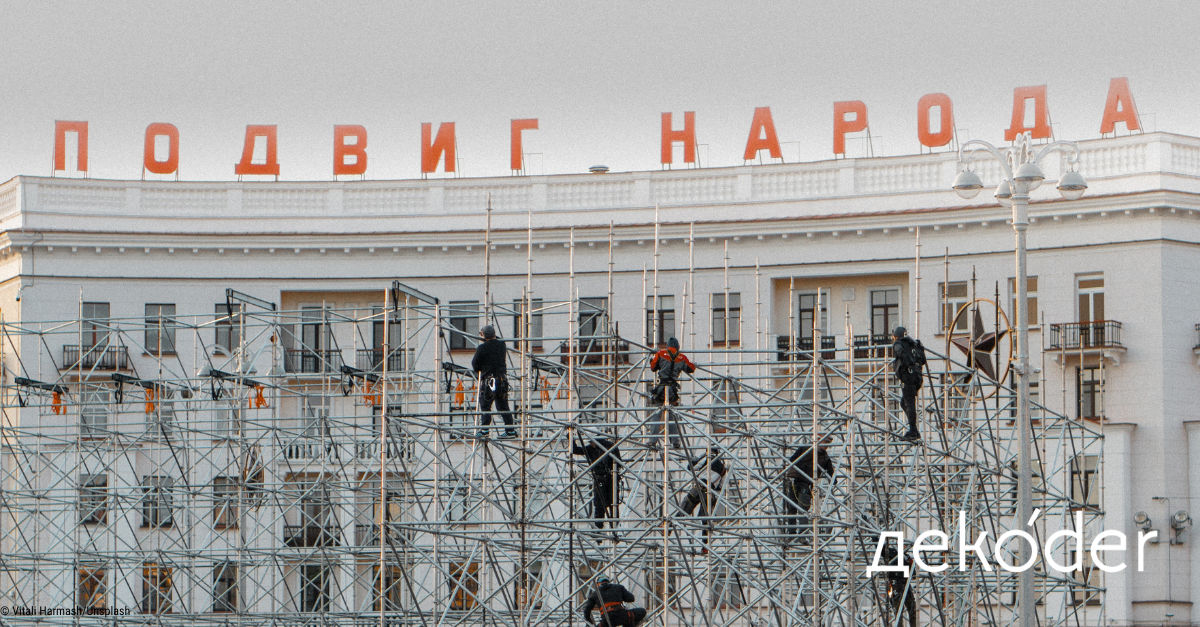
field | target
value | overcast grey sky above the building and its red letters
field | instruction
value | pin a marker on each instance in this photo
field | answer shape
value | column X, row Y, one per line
column 597, row 76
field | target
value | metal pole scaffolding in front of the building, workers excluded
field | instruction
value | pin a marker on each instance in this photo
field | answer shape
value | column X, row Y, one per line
column 327, row 467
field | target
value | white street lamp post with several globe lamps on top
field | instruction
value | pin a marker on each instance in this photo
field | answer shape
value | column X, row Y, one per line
column 1022, row 175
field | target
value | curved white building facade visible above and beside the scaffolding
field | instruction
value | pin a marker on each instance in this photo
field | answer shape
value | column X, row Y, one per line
column 743, row 256
